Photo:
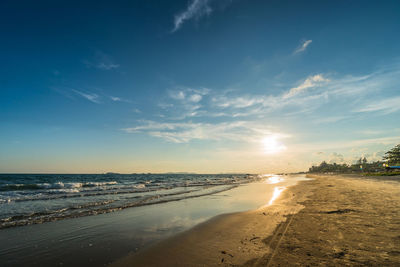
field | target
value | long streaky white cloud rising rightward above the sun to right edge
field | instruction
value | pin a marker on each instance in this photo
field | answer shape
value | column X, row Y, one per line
column 343, row 89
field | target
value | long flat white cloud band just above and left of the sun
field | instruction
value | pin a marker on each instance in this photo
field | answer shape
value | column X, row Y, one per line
column 183, row 132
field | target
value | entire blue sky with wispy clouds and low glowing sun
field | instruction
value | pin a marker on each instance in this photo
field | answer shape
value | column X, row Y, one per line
column 206, row 86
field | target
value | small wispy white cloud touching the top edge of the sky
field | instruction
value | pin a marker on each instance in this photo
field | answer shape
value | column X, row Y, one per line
column 195, row 10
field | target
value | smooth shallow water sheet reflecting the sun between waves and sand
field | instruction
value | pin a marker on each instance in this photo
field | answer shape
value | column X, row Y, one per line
column 101, row 239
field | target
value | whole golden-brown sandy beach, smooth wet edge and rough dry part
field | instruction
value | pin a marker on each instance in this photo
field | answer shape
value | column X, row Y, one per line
column 328, row 221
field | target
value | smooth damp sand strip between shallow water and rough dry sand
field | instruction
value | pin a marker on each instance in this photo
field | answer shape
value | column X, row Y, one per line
column 228, row 239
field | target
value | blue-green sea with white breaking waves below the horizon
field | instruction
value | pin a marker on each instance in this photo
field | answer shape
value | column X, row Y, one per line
column 37, row 198
